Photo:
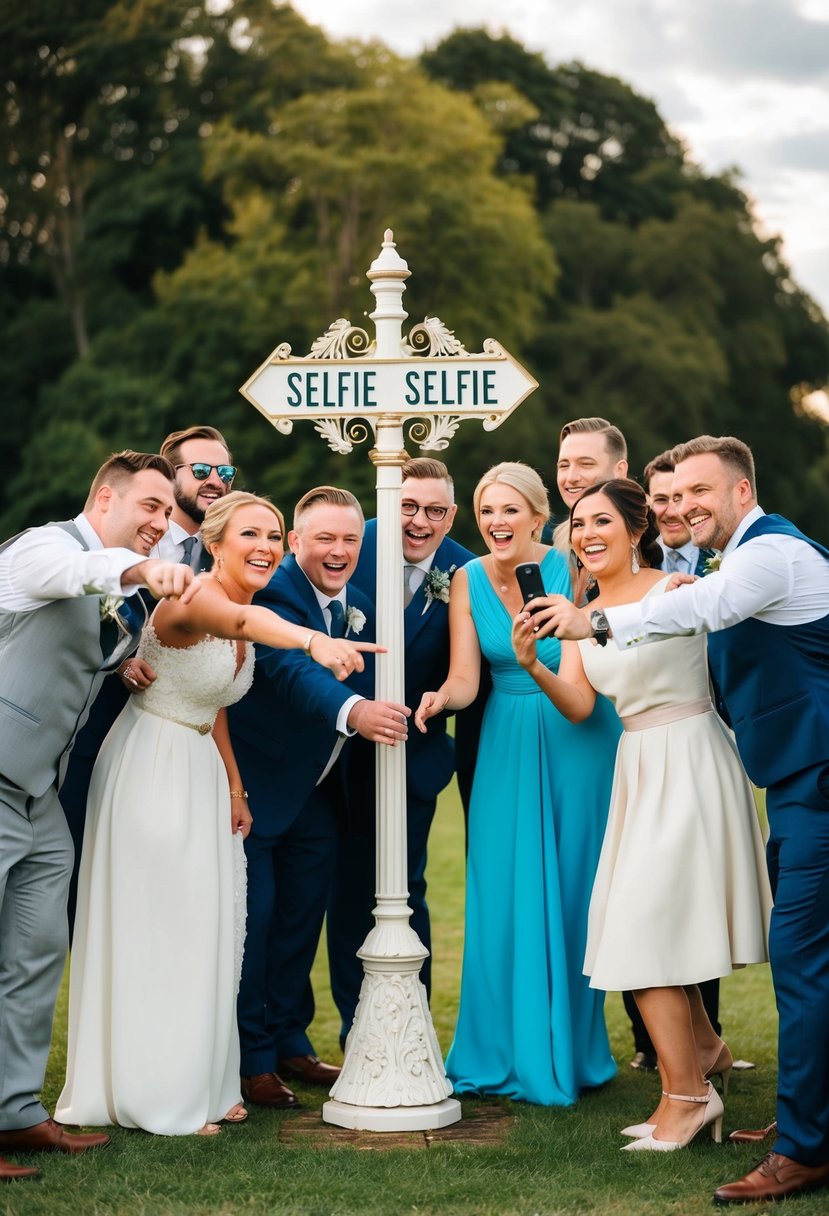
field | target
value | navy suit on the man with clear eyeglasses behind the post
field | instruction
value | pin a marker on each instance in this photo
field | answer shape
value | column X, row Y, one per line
column 430, row 768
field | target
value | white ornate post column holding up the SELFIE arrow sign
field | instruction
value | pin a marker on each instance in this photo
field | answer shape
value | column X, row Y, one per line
column 393, row 1074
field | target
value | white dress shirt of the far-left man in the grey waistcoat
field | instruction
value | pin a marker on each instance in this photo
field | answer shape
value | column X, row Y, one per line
column 48, row 564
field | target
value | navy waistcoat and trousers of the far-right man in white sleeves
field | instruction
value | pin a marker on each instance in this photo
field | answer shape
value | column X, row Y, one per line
column 775, row 684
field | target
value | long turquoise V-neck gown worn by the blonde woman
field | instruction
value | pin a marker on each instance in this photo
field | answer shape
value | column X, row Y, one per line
column 529, row 1024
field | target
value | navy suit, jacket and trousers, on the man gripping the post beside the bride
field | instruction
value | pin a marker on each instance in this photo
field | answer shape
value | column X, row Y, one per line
column 284, row 734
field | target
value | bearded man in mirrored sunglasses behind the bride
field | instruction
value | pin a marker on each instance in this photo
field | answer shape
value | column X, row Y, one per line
column 204, row 474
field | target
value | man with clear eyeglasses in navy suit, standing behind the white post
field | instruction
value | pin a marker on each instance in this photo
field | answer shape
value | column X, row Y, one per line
column 431, row 559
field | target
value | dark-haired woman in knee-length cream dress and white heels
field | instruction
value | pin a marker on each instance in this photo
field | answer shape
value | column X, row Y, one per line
column 681, row 893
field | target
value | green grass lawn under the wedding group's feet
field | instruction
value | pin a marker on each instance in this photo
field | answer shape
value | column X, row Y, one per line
column 554, row 1162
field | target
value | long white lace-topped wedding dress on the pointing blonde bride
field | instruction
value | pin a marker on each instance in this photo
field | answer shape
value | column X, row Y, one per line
column 161, row 909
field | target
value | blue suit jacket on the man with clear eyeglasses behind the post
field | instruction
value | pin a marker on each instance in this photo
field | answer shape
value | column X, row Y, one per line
column 431, row 757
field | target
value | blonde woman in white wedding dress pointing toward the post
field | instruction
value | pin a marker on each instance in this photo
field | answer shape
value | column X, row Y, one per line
column 157, row 949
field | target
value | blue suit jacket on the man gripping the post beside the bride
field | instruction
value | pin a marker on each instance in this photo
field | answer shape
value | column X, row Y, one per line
column 285, row 729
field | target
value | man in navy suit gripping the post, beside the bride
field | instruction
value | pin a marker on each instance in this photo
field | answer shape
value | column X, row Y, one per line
column 289, row 734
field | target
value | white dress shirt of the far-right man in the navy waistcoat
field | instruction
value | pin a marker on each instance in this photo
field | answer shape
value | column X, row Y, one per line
column 775, row 578
